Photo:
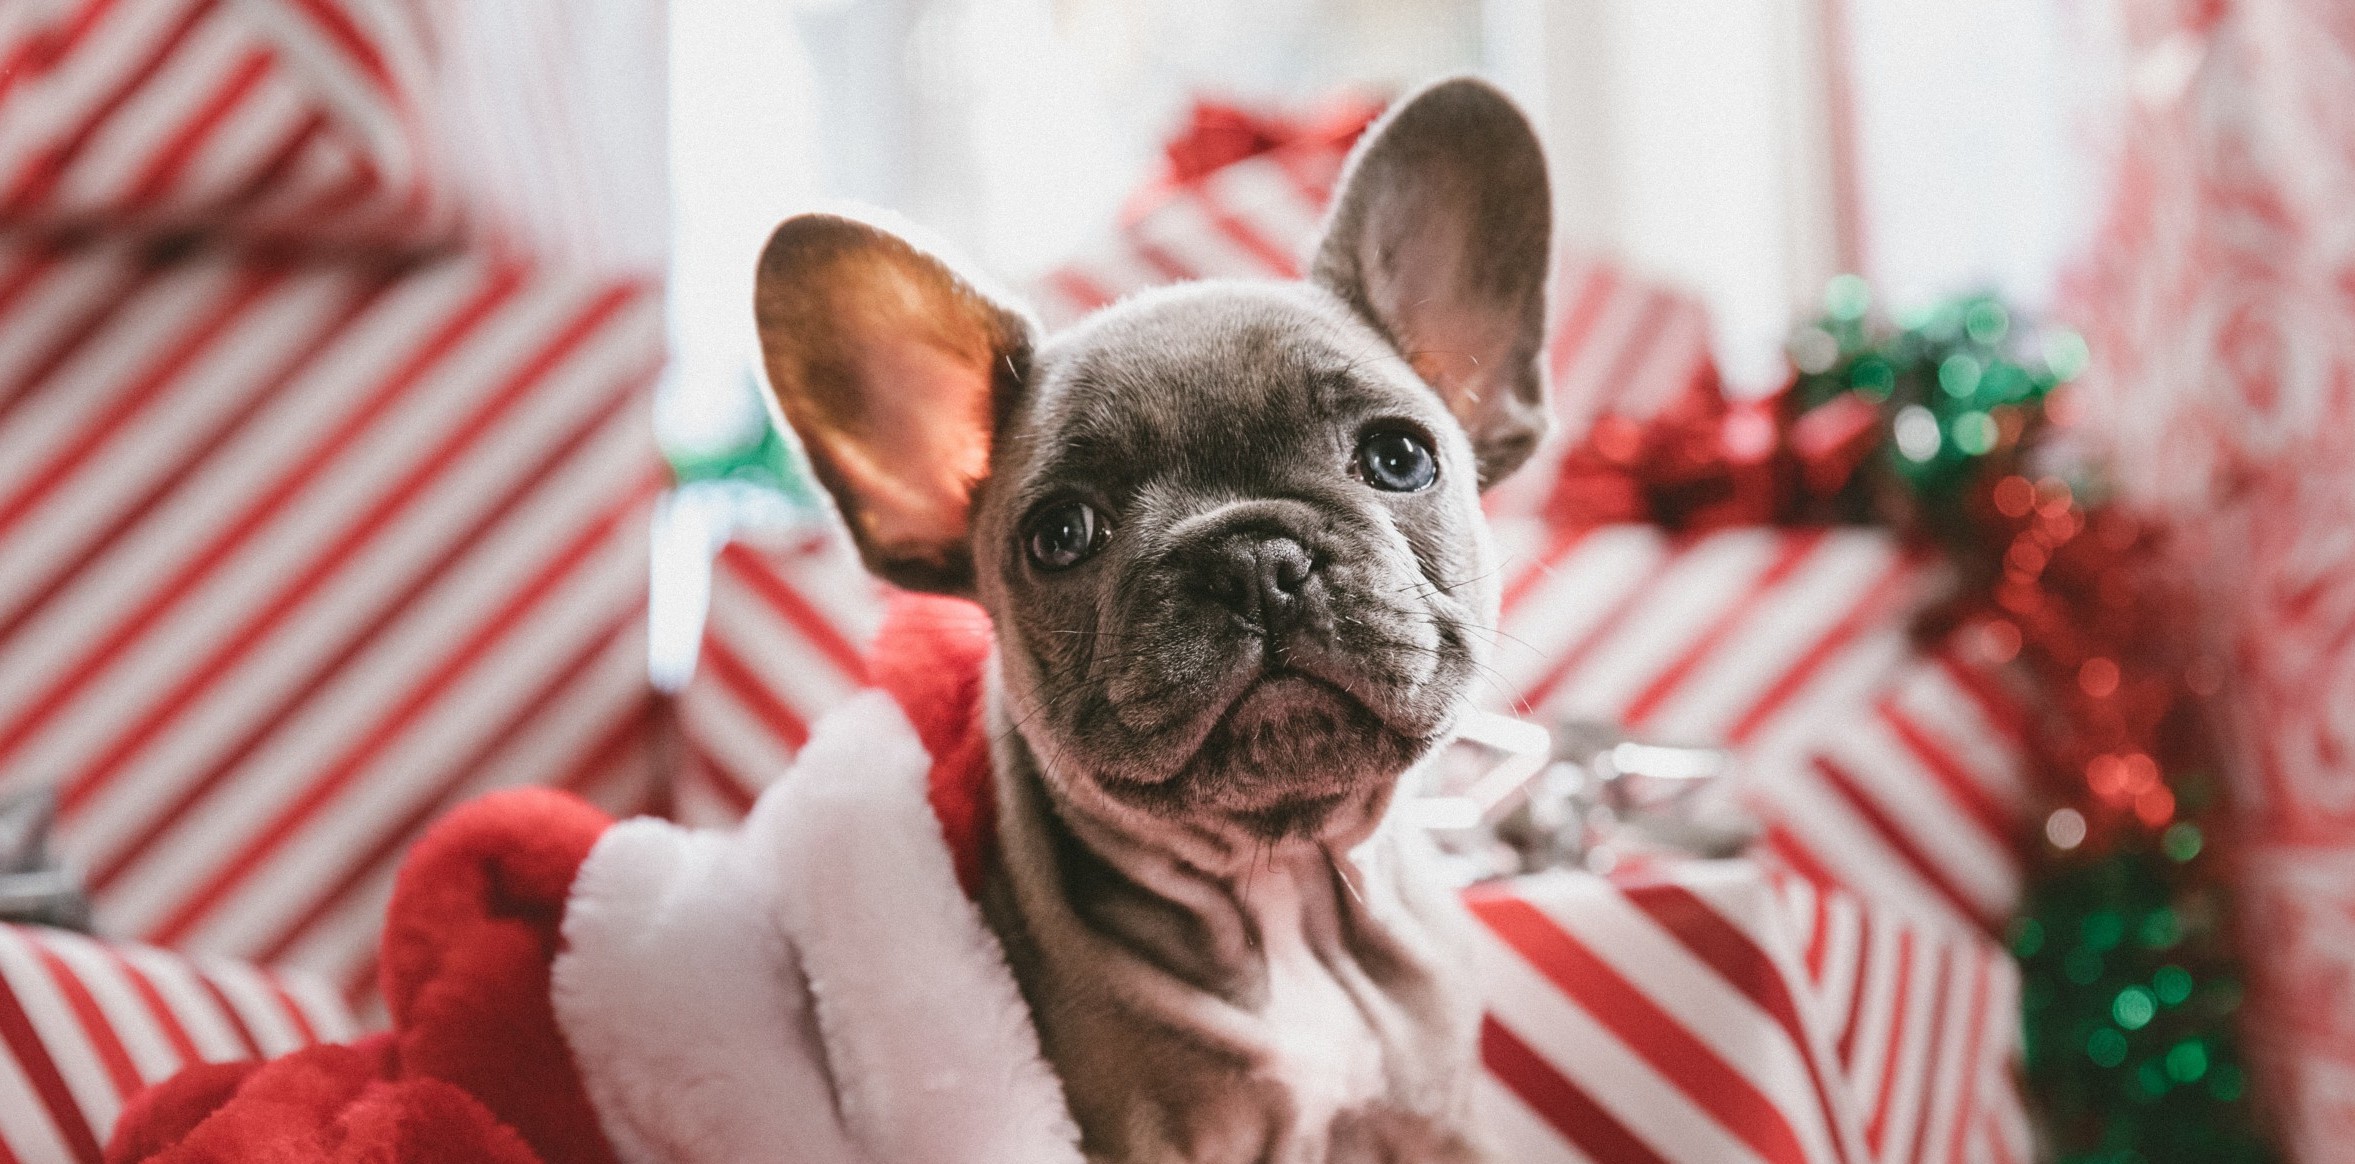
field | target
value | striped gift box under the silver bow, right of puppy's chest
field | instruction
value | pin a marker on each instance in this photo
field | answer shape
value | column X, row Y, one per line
column 1706, row 1012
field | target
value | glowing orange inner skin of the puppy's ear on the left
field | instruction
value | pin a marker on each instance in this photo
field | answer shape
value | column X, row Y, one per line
column 922, row 447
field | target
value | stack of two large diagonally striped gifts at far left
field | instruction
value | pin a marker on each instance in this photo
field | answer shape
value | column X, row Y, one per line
column 317, row 515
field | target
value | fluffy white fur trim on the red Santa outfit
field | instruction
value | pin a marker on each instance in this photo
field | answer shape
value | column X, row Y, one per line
column 809, row 988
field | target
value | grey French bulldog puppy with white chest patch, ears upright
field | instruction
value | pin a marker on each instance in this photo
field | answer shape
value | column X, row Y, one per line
column 1233, row 545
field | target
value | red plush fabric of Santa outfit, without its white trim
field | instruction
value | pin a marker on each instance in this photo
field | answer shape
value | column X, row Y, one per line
column 477, row 1069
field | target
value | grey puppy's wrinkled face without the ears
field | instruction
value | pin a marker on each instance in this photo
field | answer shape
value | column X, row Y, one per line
column 1282, row 576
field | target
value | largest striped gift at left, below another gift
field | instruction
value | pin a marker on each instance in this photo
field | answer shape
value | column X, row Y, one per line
column 298, row 555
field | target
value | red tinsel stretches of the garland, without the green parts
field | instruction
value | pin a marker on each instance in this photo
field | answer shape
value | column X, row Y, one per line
column 2078, row 597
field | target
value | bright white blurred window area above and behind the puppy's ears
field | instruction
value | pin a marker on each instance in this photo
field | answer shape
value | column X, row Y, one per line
column 1744, row 152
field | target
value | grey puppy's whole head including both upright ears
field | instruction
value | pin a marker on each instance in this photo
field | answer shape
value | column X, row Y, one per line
column 1230, row 534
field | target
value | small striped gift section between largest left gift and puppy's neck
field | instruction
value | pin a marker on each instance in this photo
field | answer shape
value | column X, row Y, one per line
column 792, row 619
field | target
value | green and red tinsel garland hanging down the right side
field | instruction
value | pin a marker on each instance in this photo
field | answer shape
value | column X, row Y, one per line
column 2130, row 981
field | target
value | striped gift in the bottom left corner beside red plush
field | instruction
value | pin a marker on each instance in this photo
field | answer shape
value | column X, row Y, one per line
column 86, row 1024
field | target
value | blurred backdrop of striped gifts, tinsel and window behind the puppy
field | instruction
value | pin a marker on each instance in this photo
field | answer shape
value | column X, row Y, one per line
column 1953, row 470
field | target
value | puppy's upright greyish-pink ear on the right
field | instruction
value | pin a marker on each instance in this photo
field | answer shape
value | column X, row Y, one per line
column 1442, row 237
